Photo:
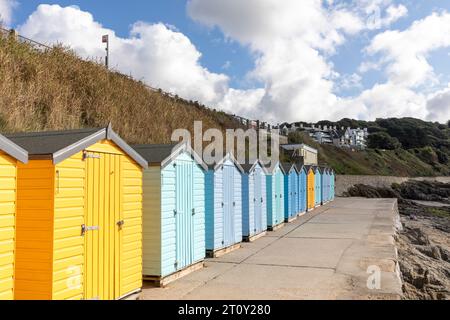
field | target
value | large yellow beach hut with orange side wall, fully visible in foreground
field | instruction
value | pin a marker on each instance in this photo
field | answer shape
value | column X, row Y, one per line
column 79, row 216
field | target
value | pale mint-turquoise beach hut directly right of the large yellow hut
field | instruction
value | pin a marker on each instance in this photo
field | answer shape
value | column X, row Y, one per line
column 174, row 211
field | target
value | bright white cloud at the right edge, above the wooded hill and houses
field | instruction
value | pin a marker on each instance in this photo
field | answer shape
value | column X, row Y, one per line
column 404, row 57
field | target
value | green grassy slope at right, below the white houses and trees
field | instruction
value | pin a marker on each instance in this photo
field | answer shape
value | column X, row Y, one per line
column 398, row 162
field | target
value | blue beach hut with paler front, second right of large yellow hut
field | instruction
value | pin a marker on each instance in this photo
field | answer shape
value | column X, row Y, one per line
column 223, row 196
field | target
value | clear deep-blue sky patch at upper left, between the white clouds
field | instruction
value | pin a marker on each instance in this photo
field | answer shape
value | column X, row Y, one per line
column 120, row 15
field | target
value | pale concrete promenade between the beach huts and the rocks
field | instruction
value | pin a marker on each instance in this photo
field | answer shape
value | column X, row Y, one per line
column 333, row 252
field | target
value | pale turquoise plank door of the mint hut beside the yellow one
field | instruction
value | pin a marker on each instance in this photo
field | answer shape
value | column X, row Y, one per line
column 185, row 212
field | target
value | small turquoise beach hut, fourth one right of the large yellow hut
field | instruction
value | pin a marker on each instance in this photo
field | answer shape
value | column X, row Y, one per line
column 275, row 197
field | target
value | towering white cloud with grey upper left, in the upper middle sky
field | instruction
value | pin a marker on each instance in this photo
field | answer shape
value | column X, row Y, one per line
column 291, row 40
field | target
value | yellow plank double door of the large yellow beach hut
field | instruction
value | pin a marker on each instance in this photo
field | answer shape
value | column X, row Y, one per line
column 102, row 228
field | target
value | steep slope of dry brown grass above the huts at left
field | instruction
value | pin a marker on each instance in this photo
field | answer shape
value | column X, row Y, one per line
column 57, row 90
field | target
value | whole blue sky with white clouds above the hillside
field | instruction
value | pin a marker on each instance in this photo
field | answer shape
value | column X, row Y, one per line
column 294, row 73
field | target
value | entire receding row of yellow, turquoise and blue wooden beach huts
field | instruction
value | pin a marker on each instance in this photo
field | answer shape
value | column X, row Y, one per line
column 83, row 215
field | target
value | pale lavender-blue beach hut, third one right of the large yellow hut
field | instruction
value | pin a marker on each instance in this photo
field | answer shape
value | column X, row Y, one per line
column 254, row 201
